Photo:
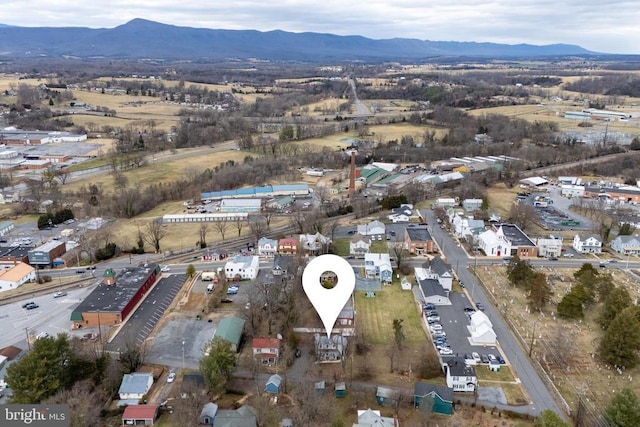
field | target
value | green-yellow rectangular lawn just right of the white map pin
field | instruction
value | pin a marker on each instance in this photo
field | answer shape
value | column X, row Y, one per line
column 375, row 316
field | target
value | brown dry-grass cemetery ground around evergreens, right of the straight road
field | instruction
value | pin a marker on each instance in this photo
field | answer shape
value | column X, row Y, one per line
column 583, row 371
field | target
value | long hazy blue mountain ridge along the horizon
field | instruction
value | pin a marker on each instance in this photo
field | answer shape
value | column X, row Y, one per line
column 141, row 38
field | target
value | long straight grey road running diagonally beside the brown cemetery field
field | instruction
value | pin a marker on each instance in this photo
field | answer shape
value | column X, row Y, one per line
column 541, row 397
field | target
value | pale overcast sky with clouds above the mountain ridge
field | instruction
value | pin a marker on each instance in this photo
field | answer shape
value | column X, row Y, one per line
column 603, row 26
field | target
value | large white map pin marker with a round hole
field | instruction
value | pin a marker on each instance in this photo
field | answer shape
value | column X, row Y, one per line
column 328, row 302
